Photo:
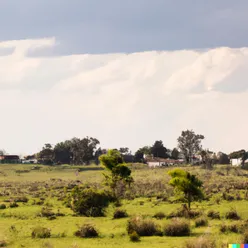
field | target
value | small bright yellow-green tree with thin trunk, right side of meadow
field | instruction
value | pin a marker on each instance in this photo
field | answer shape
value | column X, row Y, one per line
column 188, row 184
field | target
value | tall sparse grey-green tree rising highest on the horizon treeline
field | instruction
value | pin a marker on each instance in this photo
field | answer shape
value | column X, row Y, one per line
column 189, row 144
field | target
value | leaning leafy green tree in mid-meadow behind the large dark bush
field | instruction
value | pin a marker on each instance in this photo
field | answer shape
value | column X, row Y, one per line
column 120, row 173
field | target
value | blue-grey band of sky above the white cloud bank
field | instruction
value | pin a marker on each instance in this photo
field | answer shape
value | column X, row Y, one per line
column 95, row 26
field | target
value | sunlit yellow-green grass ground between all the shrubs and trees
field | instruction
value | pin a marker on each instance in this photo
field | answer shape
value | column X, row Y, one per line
column 16, row 224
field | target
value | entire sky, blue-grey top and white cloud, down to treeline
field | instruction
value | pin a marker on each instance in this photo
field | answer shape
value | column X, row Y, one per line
column 125, row 72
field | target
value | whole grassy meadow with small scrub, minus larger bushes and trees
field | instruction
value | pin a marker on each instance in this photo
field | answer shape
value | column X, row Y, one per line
column 27, row 194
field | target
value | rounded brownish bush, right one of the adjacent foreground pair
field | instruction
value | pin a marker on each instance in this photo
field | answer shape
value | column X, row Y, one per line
column 177, row 228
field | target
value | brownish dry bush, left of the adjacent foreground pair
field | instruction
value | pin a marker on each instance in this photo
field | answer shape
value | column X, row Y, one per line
column 143, row 227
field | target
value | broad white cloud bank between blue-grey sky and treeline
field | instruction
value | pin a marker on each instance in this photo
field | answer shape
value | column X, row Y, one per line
column 122, row 99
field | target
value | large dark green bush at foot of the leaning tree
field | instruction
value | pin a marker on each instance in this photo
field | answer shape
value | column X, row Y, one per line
column 89, row 202
